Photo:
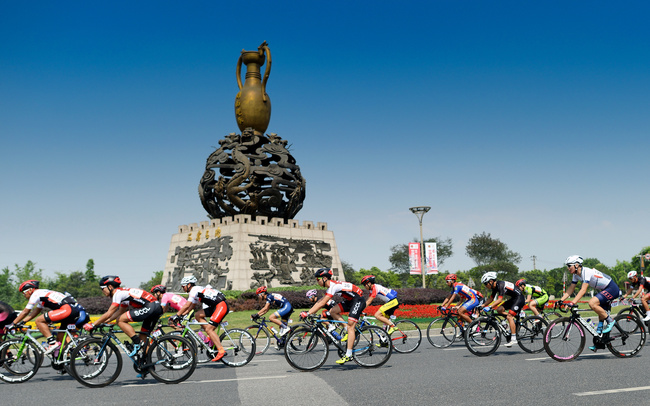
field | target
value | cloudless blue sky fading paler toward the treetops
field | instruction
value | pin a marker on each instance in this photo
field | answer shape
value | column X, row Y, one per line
column 527, row 120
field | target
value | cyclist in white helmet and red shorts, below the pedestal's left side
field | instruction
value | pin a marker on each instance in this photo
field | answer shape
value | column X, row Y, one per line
column 215, row 308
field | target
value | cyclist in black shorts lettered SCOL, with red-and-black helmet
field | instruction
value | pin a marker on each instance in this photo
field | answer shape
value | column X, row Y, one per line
column 128, row 306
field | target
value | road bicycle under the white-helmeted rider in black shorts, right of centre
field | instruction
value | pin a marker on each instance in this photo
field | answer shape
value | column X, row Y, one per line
column 483, row 335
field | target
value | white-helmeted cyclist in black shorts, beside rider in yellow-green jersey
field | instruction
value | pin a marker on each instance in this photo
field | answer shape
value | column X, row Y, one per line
column 497, row 300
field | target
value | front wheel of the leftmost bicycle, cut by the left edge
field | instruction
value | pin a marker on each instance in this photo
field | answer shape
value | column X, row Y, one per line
column 19, row 361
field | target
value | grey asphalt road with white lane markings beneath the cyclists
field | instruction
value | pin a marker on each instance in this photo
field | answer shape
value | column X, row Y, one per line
column 427, row 376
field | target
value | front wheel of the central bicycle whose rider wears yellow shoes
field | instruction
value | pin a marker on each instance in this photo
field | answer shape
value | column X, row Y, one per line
column 306, row 348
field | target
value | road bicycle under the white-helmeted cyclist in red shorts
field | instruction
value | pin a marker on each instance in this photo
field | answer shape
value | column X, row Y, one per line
column 239, row 344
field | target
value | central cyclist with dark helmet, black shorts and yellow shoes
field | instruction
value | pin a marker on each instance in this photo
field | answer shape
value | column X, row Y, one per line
column 352, row 302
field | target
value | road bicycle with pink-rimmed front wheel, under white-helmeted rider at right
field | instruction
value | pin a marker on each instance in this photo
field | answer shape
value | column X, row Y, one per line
column 565, row 337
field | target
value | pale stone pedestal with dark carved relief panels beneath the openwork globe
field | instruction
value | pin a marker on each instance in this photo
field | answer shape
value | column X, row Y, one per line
column 241, row 253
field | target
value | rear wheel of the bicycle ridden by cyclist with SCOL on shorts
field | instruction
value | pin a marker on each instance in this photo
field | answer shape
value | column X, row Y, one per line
column 171, row 359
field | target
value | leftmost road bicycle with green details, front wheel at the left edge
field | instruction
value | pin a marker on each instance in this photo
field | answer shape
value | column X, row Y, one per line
column 22, row 355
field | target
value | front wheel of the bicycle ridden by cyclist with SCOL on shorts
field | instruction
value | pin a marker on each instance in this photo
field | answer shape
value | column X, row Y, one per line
column 95, row 363
